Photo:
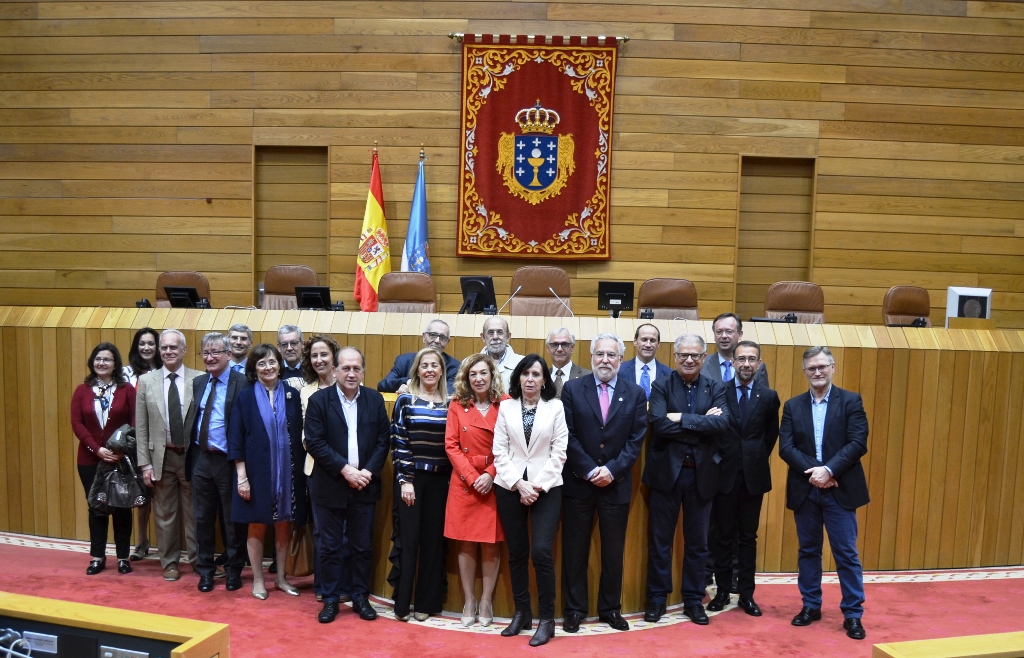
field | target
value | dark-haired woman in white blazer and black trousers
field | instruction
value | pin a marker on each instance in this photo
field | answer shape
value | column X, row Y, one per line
column 530, row 452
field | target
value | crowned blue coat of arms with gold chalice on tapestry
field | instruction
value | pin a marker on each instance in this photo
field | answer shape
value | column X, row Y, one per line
column 537, row 164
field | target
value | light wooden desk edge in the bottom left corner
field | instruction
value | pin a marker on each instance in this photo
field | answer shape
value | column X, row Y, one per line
column 197, row 639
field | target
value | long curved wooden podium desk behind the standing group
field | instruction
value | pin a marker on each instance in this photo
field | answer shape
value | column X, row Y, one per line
column 945, row 466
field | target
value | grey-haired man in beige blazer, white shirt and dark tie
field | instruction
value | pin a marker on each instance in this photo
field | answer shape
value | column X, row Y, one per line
column 164, row 414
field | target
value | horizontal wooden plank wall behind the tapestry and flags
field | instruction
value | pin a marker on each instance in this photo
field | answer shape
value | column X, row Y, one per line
column 118, row 120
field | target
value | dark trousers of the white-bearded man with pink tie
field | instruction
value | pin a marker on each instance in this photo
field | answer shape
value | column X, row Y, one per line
column 578, row 527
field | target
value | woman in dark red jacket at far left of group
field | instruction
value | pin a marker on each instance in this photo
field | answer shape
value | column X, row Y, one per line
column 99, row 407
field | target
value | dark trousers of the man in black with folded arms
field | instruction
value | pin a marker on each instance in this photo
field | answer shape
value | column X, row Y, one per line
column 664, row 515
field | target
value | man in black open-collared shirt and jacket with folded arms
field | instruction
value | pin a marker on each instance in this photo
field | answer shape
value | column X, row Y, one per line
column 688, row 416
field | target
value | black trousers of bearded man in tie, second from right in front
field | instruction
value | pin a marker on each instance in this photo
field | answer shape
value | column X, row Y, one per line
column 739, row 514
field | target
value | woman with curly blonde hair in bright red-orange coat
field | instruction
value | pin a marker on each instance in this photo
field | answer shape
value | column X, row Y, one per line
column 472, row 516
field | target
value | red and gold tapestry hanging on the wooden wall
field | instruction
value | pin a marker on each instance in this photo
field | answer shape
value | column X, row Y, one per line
column 537, row 147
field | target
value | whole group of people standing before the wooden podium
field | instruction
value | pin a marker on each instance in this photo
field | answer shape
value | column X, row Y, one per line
column 498, row 448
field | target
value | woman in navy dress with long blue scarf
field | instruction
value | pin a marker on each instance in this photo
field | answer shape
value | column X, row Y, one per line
column 265, row 440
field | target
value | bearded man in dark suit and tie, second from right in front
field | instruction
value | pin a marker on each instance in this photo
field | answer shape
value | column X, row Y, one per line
column 745, row 475
